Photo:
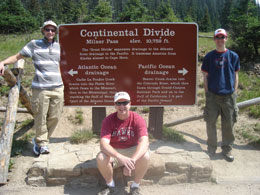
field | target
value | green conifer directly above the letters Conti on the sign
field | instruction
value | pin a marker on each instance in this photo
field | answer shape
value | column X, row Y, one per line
column 102, row 12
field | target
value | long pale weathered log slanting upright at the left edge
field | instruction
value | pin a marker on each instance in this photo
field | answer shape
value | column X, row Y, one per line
column 8, row 130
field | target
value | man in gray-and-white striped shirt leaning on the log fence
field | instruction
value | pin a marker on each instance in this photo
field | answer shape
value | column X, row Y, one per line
column 47, row 85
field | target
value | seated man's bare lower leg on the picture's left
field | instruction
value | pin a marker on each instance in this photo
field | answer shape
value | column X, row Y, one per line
column 105, row 167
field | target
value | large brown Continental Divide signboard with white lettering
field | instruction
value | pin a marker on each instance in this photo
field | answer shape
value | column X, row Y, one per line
column 155, row 63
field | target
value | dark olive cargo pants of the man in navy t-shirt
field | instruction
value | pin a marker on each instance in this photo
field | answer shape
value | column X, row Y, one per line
column 226, row 107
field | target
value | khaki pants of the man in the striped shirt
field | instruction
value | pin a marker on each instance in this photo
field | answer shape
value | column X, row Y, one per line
column 47, row 107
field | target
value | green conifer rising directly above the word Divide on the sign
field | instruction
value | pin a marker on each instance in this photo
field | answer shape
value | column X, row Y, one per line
column 164, row 13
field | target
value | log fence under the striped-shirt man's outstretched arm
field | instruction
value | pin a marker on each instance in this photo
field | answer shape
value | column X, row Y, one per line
column 16, row 92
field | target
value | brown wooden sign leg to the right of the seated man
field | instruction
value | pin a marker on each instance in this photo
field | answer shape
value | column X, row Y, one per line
column 156, row 121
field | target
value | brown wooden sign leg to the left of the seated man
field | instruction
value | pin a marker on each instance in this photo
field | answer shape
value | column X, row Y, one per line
column 98, row 115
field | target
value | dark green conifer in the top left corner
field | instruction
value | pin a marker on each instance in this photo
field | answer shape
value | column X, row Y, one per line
column 14, row 18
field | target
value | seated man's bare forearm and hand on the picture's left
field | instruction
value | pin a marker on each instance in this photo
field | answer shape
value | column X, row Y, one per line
column 110, row 151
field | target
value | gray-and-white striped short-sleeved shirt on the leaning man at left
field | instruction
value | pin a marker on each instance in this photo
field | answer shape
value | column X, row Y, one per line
column 46, row 59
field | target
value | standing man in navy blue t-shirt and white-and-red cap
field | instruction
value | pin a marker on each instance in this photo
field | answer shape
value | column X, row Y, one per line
column 220, row 69
